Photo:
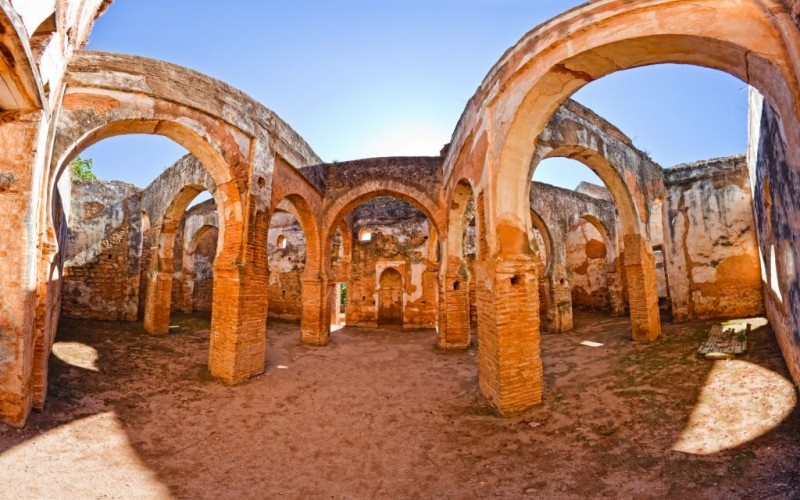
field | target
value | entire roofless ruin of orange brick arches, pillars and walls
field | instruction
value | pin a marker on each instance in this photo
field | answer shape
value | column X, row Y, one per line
column 463, row 243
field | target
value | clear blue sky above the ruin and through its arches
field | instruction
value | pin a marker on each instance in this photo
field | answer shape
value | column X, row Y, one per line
column 361, row 78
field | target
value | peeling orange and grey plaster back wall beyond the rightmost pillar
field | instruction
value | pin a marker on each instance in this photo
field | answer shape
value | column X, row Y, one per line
column 710, row 243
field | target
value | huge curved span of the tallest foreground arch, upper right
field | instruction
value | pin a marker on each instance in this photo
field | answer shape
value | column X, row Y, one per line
column 754, row 40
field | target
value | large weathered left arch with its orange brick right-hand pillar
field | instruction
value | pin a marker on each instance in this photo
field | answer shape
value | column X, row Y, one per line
column 234, row 137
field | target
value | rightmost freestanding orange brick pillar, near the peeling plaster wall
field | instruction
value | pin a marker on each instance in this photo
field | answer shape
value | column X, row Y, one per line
column 640, row 275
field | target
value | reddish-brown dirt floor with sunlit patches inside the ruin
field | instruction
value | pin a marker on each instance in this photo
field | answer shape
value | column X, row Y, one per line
column 383, row 414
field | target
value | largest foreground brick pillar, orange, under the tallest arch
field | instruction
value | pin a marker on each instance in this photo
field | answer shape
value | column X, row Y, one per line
column 509, row 355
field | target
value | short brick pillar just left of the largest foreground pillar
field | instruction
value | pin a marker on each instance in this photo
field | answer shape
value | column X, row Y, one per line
column 454, row 314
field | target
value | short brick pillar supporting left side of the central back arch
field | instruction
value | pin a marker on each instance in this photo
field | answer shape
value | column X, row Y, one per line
column 318, row 306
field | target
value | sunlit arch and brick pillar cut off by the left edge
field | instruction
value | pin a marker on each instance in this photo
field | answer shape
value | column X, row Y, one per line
column 32, row 208
